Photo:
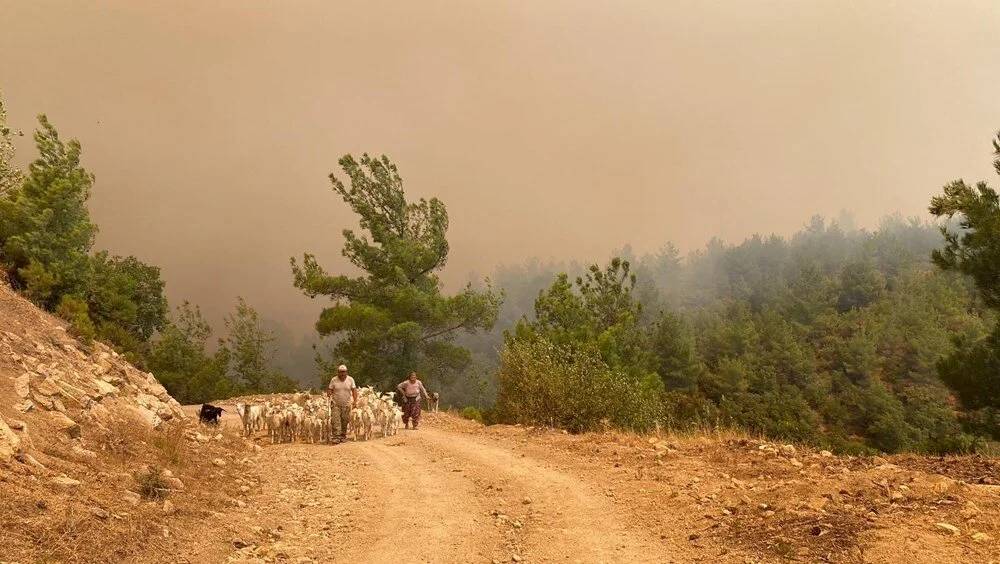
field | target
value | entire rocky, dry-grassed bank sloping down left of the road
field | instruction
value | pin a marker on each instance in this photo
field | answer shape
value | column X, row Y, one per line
column 97, row 462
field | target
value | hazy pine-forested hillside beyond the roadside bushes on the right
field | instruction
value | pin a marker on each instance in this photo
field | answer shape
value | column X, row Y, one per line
column 831, row 336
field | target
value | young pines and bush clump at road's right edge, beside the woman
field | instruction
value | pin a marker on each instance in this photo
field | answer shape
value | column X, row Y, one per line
column 584, row 359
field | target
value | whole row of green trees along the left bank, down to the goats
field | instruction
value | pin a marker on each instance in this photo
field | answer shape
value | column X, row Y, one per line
column 47, row 251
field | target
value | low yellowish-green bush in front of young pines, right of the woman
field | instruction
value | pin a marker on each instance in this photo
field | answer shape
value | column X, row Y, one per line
column 545, row 384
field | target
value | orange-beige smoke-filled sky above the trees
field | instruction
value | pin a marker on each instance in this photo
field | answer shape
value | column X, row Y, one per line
column 557, row 129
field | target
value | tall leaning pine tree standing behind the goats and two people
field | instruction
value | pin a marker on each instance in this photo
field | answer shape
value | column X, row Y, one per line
column 394, row 318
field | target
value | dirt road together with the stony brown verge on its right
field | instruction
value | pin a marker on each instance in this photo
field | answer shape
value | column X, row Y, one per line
column 455, row 491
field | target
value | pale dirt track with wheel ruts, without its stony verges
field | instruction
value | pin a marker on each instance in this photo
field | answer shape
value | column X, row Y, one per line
column 432, row 495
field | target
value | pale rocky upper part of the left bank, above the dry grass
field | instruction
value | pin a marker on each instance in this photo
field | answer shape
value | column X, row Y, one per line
column 52, row 388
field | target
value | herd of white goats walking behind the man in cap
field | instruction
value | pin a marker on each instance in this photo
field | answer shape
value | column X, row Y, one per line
column 309, row 418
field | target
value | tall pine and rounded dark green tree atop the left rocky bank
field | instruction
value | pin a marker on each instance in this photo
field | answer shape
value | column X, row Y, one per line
column 45, row 241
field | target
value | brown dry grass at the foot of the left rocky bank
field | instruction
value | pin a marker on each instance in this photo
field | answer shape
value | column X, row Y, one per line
column 96, row 522
